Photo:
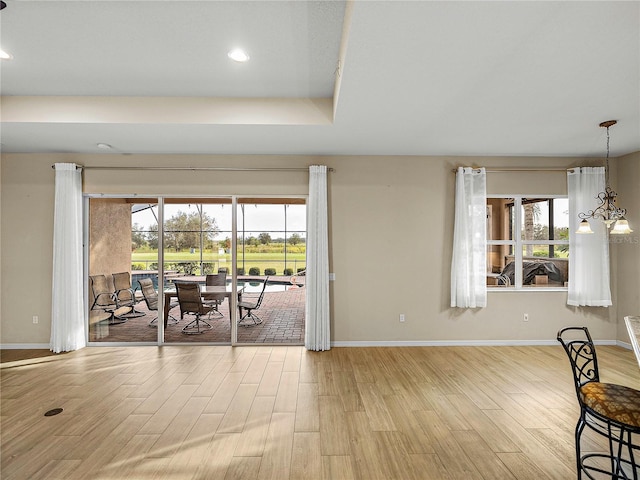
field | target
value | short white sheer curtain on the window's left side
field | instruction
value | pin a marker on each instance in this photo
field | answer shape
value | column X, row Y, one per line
column 469, row 262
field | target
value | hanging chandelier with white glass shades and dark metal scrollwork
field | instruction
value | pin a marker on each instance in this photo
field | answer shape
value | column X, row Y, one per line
column 607, row 210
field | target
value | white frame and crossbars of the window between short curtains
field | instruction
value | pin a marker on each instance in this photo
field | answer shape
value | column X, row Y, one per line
column 518, row 244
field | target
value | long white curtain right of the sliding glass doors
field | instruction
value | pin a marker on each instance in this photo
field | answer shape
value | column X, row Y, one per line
column 317, row 334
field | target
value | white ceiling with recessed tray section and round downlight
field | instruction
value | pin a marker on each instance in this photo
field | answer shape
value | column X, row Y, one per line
column 324, row 77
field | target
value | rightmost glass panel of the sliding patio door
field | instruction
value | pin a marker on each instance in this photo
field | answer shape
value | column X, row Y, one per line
column 271, row 265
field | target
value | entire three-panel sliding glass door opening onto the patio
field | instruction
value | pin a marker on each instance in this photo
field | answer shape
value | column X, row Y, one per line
column 139, row 249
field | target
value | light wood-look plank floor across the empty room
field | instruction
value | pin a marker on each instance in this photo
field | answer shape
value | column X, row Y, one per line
column 217, row 412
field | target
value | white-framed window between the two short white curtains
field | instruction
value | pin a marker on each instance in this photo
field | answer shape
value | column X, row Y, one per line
column 528, row 242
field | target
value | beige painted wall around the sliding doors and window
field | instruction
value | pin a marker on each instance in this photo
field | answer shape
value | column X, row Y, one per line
column 391, row 229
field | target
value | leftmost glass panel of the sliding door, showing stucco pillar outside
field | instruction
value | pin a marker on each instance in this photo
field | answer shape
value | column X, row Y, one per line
column 122, row 253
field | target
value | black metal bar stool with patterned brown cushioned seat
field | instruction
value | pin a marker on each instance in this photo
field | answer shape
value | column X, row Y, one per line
column 611, row 410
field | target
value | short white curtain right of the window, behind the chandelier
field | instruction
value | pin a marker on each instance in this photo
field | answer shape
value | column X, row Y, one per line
column 589, row 253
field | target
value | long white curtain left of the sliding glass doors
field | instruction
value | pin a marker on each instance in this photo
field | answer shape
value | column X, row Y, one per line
column 67, row 310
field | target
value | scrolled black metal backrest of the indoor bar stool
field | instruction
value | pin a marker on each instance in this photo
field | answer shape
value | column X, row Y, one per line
column 582, row 355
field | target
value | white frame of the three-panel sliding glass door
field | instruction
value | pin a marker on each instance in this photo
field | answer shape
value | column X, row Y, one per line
column 232, row 200
